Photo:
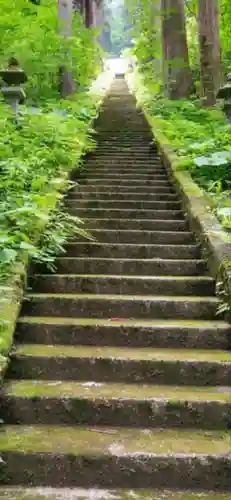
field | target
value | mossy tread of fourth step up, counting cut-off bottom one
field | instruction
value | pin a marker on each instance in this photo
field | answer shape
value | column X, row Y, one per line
column 123, row 353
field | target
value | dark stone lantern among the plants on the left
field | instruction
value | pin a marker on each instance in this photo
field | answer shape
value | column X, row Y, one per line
column 13, row 77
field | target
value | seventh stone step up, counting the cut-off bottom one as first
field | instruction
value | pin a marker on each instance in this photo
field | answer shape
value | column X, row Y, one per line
column 124, row 285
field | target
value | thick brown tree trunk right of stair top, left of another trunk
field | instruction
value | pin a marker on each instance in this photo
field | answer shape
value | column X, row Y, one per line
column 177, row 73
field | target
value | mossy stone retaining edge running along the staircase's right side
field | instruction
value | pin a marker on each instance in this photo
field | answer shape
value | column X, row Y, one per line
column 216, row 242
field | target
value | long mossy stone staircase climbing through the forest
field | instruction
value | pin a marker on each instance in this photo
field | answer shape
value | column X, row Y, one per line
column 120, row 384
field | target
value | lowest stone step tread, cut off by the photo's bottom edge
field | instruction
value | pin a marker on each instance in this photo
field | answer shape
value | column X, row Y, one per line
column 11, row 493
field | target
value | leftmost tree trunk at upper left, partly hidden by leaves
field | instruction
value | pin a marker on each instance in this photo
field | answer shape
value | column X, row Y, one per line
column 65, row 9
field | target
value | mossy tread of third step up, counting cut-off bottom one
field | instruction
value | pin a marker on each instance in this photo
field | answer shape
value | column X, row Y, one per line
column 58, row 389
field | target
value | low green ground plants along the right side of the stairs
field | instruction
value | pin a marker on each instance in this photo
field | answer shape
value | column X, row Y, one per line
column 201, row 139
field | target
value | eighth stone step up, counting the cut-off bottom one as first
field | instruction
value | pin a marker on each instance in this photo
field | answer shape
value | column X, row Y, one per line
column 143, row 267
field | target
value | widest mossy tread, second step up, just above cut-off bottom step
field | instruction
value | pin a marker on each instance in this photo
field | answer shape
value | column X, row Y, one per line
column 111, row 441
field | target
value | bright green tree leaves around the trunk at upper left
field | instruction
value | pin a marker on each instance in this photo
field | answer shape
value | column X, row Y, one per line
column 32, row 34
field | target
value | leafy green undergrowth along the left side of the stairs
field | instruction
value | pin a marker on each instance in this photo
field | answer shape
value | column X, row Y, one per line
column 37, row 157
